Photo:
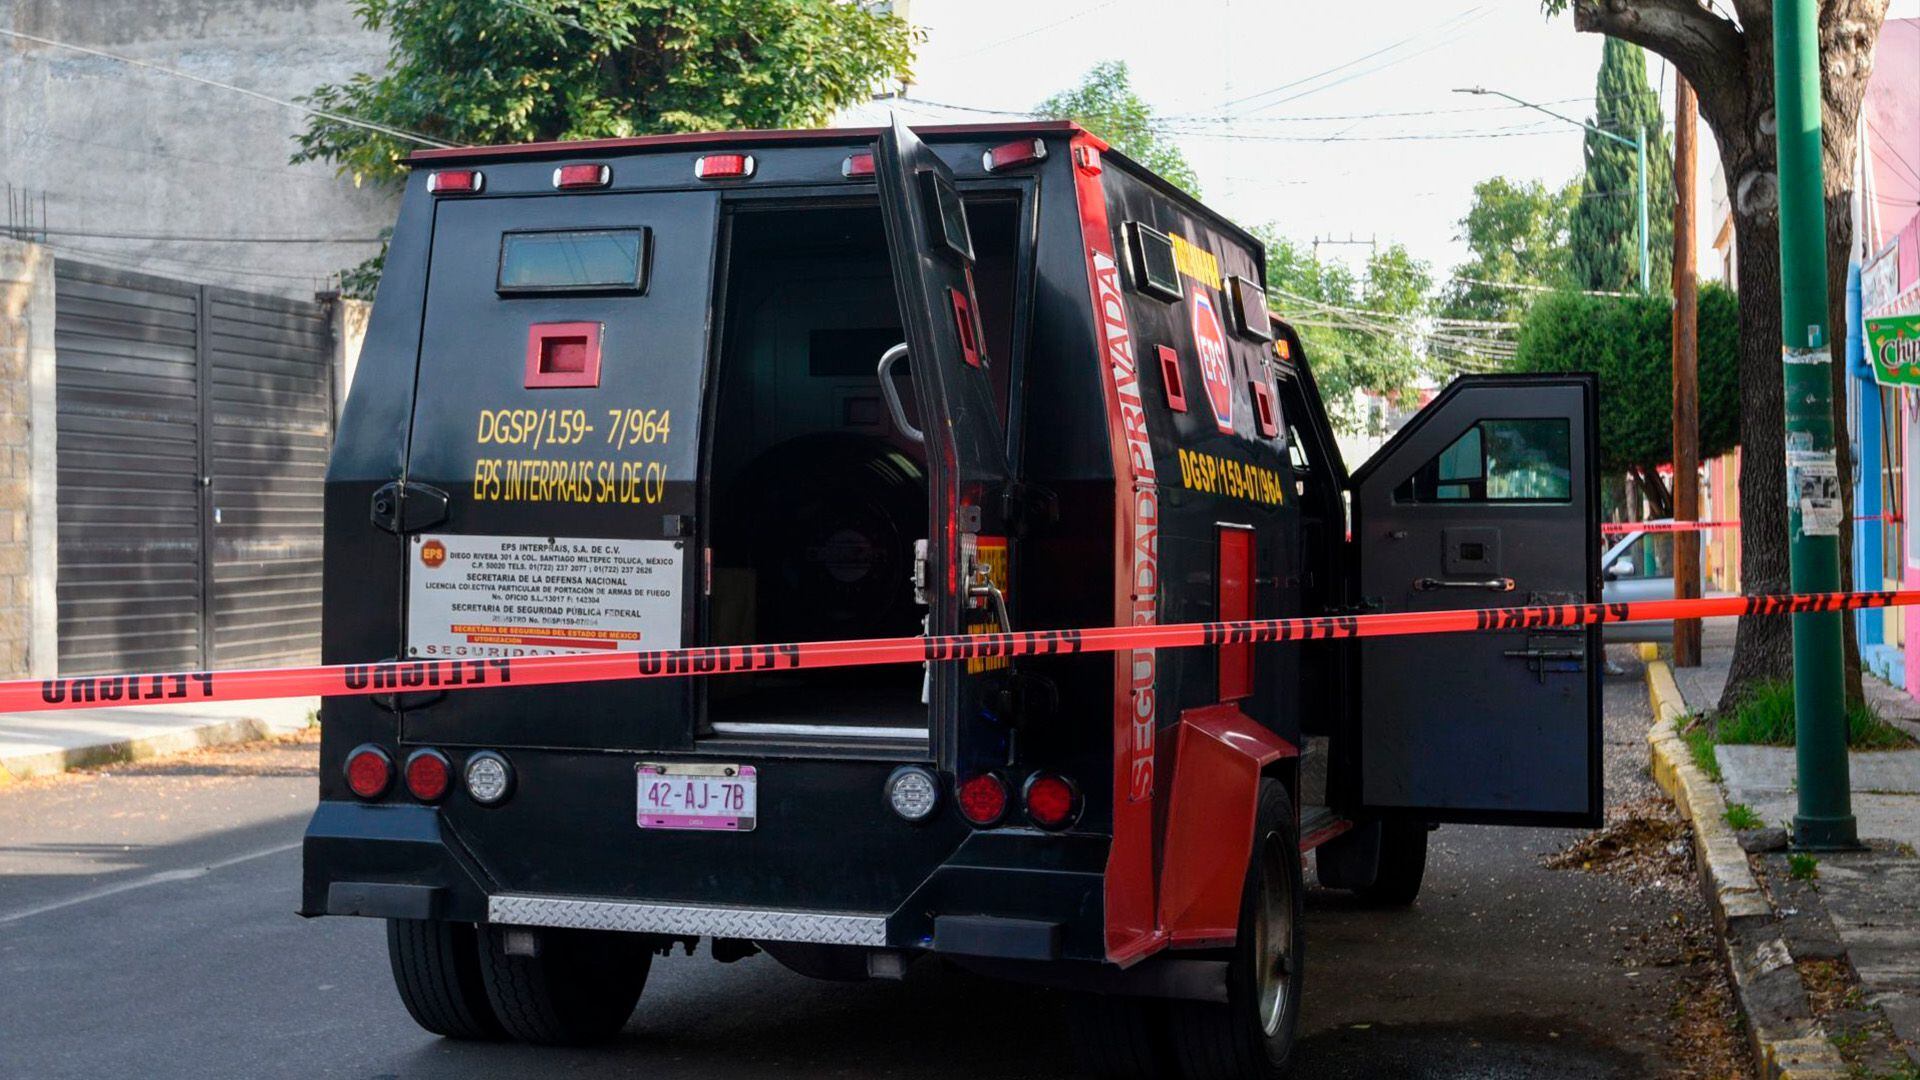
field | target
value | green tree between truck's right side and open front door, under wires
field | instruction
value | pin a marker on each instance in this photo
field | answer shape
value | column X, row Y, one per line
column 1358, row 330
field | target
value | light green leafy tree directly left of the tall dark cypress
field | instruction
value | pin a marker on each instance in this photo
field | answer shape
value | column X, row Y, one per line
column 1516, row 233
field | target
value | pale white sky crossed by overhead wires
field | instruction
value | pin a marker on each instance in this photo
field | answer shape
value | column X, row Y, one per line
column 1284, row 107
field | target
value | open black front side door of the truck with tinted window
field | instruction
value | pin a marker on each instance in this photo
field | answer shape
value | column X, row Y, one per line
column 1487, row 499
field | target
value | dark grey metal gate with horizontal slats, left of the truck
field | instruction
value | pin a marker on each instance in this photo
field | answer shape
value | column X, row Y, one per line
column 193, row 431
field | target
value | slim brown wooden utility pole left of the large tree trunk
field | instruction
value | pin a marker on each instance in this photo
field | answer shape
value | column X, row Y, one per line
column 1687, row 372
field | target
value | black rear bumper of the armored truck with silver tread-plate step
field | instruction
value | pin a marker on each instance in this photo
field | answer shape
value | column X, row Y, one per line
column 1007, row 895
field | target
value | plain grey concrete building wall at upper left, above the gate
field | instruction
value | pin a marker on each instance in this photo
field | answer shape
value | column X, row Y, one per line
column 118, row 149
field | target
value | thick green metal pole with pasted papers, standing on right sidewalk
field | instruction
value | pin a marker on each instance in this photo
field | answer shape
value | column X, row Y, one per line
column 1825, row 820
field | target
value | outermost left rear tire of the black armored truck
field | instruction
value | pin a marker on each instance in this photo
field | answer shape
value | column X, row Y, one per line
column 437, row 970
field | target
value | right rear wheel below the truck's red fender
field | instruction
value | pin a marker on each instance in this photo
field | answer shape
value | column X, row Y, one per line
column 1253, row 1035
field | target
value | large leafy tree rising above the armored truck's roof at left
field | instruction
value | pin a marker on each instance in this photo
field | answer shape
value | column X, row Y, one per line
column 540, row 70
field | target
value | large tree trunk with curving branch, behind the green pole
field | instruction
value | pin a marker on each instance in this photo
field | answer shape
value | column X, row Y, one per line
column 1731, row 66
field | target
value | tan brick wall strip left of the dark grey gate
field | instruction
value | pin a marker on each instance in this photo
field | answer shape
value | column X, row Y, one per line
column 28, row 516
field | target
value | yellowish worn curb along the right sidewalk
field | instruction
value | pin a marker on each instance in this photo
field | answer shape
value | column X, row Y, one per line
column 1787, row 1041
